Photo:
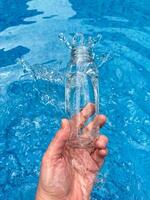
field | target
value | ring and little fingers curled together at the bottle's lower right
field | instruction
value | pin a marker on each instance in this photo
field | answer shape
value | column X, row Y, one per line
column 101, row 151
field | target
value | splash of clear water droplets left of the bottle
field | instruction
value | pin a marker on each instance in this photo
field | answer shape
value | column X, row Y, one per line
column 38, row 73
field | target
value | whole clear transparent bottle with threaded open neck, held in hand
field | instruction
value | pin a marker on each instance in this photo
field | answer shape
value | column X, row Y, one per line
column 81, row 88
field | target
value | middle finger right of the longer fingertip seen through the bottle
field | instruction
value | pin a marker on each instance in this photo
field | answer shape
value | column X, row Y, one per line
column 93, row 127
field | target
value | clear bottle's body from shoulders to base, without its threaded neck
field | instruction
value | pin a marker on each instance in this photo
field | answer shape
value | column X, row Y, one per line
column 82, row 87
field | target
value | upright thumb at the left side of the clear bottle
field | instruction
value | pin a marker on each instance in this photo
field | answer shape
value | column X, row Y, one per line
column 56, row 147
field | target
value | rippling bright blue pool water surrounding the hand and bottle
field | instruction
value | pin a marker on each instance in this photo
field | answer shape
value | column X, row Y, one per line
column 30, row 111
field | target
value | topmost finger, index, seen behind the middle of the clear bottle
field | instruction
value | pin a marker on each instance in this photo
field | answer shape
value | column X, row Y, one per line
column 80, row 118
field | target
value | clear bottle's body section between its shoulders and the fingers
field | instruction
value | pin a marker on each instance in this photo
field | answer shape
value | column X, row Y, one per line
column 81, row 88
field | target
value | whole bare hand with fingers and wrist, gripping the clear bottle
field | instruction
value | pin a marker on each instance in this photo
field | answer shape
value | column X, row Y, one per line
column 69, row 173
